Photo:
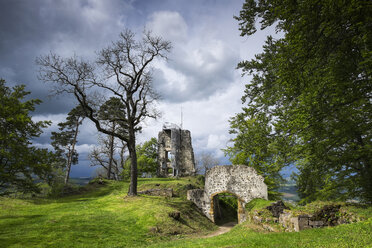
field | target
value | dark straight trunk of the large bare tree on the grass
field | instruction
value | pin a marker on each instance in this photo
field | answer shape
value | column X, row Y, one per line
column 133, row 168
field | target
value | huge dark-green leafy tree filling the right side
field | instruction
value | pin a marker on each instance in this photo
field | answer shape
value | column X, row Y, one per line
column 313, row 89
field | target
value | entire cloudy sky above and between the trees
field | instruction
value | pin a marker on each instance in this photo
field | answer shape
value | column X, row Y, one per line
column 200, row 77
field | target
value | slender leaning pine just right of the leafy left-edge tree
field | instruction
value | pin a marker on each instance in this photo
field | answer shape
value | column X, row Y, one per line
column 65, row 140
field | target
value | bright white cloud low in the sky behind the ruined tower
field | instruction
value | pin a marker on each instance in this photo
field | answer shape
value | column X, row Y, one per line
column 207, row 119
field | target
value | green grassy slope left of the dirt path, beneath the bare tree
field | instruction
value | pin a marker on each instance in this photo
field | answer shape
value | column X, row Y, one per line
column 101, row 217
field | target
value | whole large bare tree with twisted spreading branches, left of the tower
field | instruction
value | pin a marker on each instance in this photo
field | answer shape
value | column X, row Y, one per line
column 124, row 66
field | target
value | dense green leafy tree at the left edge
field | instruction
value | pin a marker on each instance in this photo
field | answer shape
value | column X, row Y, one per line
column 21, row 163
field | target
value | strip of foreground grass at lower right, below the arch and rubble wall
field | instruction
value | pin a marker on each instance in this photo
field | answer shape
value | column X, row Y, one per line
column 352, row 235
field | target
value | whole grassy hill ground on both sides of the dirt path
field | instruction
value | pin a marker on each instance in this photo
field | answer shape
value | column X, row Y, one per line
column 102, row 216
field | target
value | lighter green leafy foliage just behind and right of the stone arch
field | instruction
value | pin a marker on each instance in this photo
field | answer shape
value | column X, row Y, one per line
column 255, row 146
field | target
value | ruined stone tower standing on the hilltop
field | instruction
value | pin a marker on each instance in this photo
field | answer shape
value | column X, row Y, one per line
column 175, row 152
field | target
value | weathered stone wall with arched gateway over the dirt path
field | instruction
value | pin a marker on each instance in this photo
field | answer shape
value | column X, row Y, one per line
column 239, row 180
